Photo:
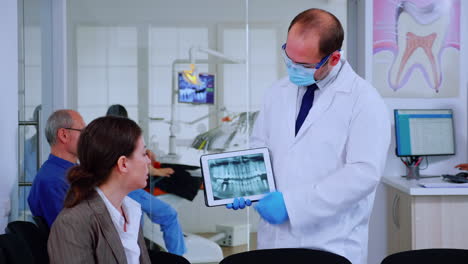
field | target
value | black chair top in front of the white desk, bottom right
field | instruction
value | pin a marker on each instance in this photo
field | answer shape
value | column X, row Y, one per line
column 429, row 256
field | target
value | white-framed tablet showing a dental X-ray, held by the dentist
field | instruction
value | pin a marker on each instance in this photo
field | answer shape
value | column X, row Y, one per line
column 244, row 173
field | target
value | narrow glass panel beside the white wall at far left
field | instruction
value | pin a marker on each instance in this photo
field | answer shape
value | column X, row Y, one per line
column 29, row 96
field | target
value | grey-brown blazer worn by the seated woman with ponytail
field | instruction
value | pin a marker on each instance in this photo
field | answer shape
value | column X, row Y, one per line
column 86, row 234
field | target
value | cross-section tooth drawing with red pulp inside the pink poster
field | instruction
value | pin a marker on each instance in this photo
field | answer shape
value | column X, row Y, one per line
column 416, row 50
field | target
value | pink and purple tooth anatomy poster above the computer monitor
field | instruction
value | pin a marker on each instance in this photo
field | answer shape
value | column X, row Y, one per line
column 416, row 48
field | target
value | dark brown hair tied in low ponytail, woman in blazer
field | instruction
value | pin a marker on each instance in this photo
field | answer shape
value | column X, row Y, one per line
column 101, row 144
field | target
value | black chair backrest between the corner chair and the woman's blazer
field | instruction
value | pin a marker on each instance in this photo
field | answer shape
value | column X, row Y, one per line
column 34, row 238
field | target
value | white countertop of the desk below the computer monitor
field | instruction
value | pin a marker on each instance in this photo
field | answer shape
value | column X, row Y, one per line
column 413, row 187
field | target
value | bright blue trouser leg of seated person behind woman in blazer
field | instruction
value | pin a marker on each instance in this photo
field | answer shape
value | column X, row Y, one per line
column 163, row 214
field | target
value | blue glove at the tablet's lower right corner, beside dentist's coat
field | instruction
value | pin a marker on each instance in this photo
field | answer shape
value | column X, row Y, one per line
column 272, row 208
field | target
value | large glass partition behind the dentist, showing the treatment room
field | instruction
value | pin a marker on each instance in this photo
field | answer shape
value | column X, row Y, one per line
column 135, row 54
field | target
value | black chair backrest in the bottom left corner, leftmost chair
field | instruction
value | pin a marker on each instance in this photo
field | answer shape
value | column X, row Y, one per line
column 13, row 250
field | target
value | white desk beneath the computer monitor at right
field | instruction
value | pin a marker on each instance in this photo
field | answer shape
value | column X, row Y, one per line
column 425, row 217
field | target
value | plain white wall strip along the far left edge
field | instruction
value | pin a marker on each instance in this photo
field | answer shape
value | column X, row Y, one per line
column 8, row 104
